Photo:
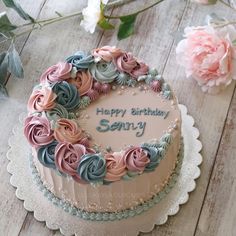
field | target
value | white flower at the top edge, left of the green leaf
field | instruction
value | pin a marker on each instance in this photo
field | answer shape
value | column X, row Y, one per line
column 92, row 15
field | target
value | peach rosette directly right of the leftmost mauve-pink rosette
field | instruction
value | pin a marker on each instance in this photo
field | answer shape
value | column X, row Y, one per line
column 67, row 131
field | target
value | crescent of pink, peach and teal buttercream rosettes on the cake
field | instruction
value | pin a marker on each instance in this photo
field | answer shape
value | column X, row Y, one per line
column 51, row 127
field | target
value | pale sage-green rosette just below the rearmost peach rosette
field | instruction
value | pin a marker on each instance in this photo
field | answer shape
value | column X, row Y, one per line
column 104, row 72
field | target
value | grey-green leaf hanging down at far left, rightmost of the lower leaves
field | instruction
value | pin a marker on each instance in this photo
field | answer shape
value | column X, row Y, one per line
column 14, row 63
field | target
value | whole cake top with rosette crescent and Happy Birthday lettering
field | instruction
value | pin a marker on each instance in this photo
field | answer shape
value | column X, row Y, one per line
column 101, row 117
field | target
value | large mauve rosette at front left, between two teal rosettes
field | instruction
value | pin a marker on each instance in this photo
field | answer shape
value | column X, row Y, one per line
column 68, row 157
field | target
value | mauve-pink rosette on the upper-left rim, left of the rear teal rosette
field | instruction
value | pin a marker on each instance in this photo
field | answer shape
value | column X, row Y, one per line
column 60, row 71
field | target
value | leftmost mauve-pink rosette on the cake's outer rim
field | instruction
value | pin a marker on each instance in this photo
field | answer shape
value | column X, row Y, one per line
column 37, row 130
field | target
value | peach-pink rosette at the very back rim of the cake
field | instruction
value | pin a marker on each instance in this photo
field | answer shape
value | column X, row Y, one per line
column 107, row 53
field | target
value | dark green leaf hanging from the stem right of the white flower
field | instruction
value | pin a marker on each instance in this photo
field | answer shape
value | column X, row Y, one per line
column 126, row 27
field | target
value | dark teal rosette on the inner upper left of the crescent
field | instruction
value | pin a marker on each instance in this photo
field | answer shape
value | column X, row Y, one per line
column 67, row 95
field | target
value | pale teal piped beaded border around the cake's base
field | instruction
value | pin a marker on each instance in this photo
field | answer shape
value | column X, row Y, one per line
column 110, row 216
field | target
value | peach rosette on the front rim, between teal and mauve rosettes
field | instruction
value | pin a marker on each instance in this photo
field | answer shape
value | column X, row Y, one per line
column 116, row 167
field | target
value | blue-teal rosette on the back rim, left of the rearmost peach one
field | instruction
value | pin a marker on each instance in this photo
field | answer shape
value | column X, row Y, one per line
column 81, row 60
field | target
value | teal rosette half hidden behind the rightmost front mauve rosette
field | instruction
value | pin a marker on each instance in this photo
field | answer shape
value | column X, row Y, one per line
column 152, row 154
